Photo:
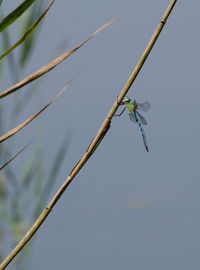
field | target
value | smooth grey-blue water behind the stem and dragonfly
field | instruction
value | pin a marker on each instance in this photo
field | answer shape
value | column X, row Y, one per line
column 126, row 209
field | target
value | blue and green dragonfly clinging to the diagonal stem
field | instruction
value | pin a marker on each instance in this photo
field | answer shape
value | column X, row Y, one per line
column 135, row 116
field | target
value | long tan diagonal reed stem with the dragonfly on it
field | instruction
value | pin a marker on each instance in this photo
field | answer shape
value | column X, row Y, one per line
column 94, row 144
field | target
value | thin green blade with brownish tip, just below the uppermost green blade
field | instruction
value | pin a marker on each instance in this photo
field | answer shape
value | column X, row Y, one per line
column 28, row 32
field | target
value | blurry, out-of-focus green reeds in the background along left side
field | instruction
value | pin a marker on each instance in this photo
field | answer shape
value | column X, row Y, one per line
column 23, row 190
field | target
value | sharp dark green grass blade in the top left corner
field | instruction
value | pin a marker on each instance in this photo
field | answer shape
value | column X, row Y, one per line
column 15, row 14
